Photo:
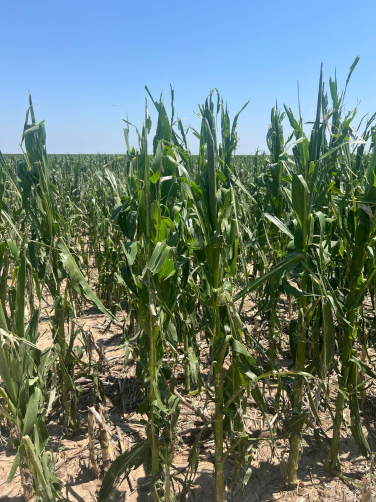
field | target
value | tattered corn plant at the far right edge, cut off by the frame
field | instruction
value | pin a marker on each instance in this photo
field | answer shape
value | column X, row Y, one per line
column 356, row 221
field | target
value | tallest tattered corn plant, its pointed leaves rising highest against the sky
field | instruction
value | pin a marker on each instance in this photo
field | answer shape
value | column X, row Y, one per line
column 314, row 161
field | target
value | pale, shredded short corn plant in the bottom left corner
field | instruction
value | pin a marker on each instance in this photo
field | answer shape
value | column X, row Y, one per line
column 23, row 394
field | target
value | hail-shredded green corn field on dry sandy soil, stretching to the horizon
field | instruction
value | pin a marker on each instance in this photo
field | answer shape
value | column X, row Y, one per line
column 231, row 287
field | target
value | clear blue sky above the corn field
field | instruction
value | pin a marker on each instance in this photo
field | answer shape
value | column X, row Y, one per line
column 79, row 58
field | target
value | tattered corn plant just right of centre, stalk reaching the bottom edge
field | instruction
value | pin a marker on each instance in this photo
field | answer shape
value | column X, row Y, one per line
column 218, row 261
